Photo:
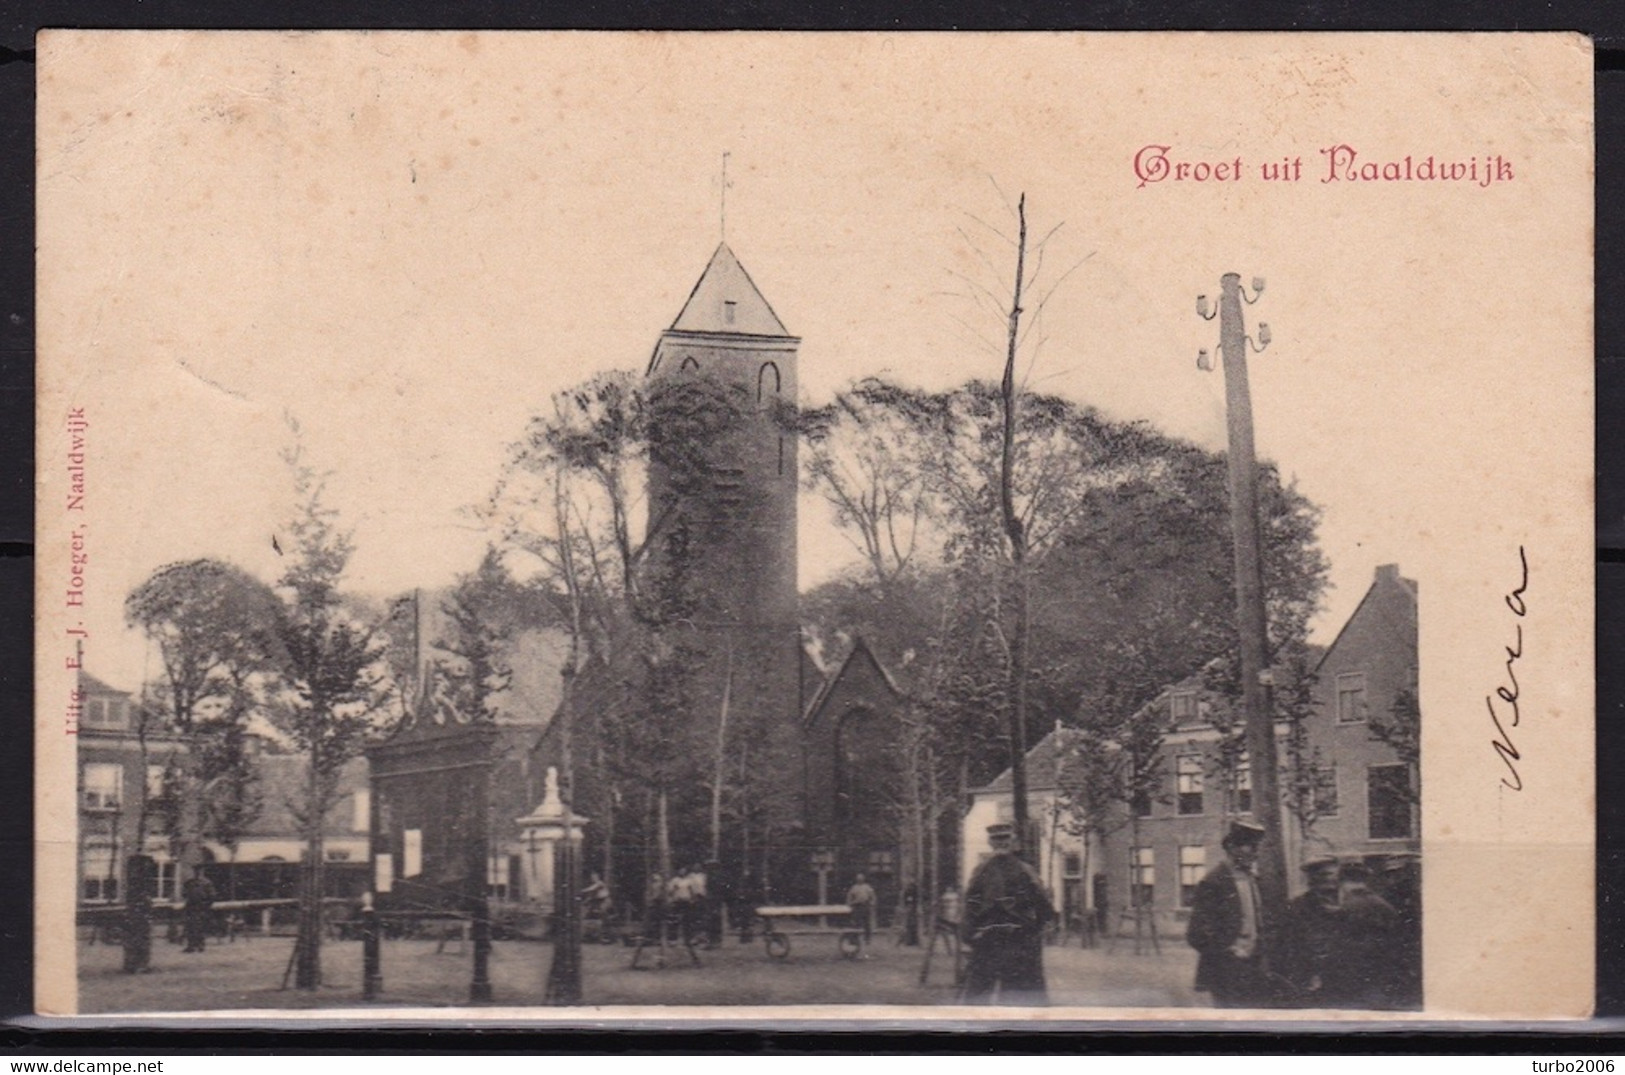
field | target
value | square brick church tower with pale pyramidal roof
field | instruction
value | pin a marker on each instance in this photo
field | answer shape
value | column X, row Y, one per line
column 739, row 517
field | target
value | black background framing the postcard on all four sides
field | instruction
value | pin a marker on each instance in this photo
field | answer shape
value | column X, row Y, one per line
column 19, row 24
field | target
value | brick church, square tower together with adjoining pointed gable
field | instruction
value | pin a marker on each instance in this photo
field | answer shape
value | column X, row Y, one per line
column 828, row 736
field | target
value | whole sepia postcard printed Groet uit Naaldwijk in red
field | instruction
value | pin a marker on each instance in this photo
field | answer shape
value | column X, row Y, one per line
column 771, row 527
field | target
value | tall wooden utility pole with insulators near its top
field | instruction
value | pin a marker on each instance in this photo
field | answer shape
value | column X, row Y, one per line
column 1252, row 626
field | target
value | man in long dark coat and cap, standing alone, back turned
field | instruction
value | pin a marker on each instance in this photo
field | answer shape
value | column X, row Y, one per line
column 1005, row 917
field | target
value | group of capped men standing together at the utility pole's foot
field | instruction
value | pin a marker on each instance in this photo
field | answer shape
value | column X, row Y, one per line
column 1351, row 941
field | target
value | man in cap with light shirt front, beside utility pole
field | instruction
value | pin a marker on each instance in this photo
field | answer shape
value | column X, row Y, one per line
column 1228, row 920
